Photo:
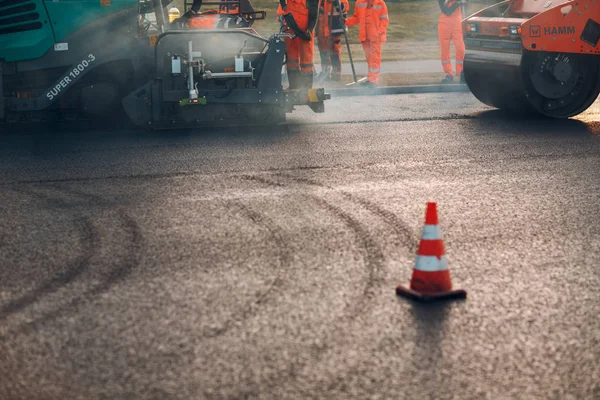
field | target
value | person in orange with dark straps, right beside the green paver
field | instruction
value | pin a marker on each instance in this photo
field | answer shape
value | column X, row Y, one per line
column 298, row 18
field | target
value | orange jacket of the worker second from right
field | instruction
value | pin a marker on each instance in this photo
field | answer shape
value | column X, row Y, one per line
column 373, row 18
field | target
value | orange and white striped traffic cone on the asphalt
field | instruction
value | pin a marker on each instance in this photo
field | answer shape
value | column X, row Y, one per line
column 431, row 277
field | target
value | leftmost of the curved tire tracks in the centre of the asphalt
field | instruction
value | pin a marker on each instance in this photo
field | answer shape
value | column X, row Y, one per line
column 284, row 262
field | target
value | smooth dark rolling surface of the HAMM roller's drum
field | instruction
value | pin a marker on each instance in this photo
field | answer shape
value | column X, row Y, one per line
column 496, row 84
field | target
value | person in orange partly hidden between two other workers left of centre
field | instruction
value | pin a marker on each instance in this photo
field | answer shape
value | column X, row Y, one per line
column 330, row 27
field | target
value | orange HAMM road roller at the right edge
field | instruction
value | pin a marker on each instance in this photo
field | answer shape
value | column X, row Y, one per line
column 537, row 55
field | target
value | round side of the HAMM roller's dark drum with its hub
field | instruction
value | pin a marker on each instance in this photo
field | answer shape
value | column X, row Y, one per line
column 560, row 85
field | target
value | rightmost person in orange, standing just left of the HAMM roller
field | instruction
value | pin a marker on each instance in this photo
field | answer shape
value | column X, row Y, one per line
column 450, row 28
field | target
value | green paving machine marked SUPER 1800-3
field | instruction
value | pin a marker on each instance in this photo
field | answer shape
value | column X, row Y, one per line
column 109, row 59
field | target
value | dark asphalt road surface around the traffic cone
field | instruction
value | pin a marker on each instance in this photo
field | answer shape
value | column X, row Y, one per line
column 262, row 263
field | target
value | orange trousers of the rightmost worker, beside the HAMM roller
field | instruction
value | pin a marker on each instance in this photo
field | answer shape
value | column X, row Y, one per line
column 450, row 29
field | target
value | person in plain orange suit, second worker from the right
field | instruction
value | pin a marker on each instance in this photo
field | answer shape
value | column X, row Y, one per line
column 372, row 17
